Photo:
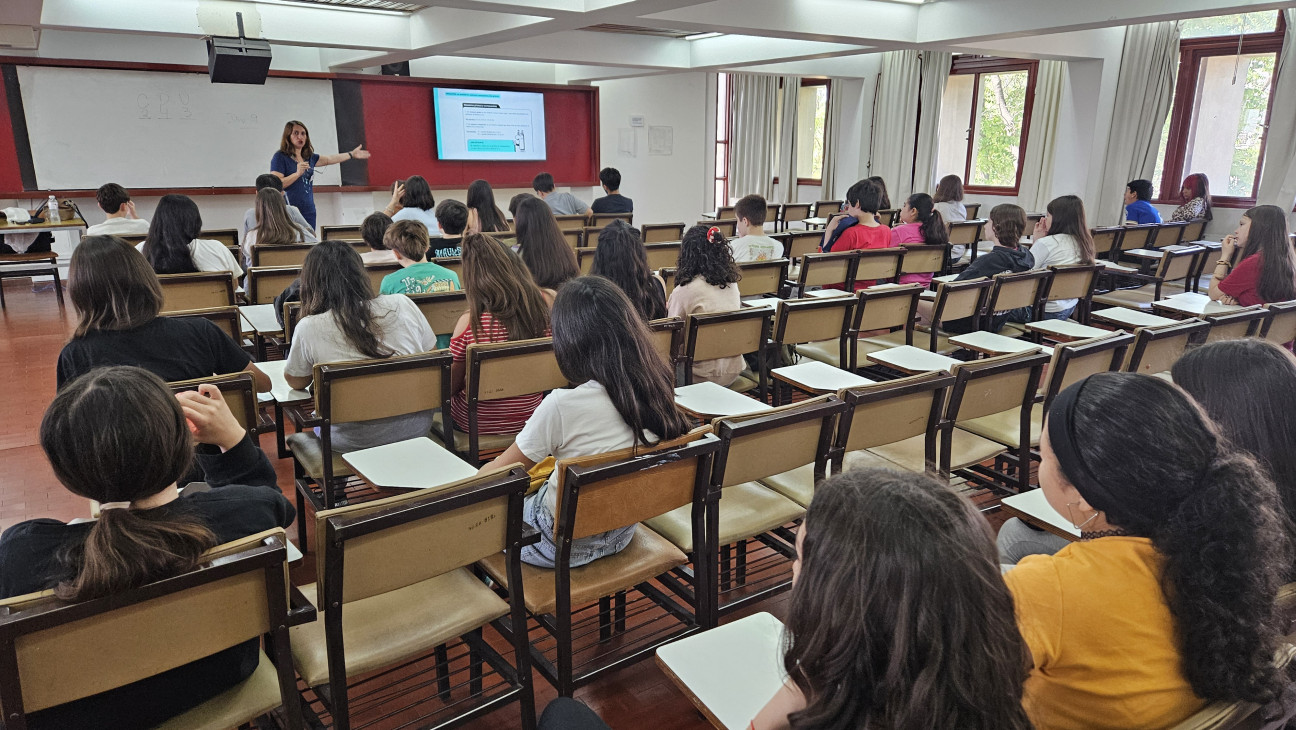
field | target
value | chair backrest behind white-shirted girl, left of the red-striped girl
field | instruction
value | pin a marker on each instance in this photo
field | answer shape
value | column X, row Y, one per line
column 364, row 391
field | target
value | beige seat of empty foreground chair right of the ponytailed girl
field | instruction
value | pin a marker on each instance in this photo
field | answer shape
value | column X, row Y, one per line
column 388, row 628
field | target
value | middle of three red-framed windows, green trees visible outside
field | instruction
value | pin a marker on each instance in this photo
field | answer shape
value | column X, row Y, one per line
column 986, row 115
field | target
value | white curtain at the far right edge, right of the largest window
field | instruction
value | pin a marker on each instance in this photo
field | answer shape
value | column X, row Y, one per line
column 1279, row 177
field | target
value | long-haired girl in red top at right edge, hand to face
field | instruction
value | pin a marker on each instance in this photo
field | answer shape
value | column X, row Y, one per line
column 1266, row 269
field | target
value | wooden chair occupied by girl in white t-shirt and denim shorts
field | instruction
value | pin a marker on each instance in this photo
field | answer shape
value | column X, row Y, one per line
column 583, row 611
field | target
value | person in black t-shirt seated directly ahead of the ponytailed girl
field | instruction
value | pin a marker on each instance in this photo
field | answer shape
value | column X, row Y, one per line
column 117, row 299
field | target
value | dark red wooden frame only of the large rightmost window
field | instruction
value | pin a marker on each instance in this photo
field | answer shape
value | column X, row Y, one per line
column 1193, row 53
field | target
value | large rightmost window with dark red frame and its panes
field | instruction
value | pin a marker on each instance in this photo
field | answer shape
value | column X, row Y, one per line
column 1220, row 116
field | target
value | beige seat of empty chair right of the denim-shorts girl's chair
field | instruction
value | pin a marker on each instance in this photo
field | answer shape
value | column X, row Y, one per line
column 747, row 510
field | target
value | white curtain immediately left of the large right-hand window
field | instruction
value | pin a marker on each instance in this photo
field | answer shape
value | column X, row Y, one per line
column 1144, row 93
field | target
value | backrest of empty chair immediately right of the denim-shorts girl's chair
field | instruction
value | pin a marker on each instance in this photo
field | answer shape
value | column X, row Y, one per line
column 773, row 443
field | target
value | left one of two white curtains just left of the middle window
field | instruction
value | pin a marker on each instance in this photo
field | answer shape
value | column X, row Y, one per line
column 891, row 151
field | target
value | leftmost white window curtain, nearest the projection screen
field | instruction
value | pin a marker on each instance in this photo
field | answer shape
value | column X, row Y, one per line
column 755, row 104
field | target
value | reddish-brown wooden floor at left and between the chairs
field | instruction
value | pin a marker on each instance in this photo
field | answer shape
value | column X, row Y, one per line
column 33, row 331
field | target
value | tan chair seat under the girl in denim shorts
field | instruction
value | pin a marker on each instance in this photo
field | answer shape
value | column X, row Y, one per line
column 647, row 556
